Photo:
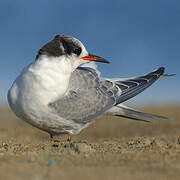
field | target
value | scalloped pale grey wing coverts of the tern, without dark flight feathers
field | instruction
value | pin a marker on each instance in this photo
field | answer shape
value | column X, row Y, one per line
column 87, row 98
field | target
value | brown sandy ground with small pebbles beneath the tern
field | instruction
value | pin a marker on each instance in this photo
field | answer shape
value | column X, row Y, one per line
column 111, row 148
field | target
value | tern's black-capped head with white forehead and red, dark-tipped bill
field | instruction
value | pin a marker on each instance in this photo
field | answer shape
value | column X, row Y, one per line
column 68, row 48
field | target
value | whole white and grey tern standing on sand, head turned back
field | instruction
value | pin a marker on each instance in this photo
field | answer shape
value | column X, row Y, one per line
column 60, row 93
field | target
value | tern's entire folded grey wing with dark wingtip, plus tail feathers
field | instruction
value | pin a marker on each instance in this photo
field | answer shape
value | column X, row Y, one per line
column 89, row 97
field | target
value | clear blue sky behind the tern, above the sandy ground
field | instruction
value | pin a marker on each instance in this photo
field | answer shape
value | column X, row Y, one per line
column 136, row 36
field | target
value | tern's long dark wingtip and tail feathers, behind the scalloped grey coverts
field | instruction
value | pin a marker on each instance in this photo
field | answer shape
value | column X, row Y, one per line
column 129, row 88
